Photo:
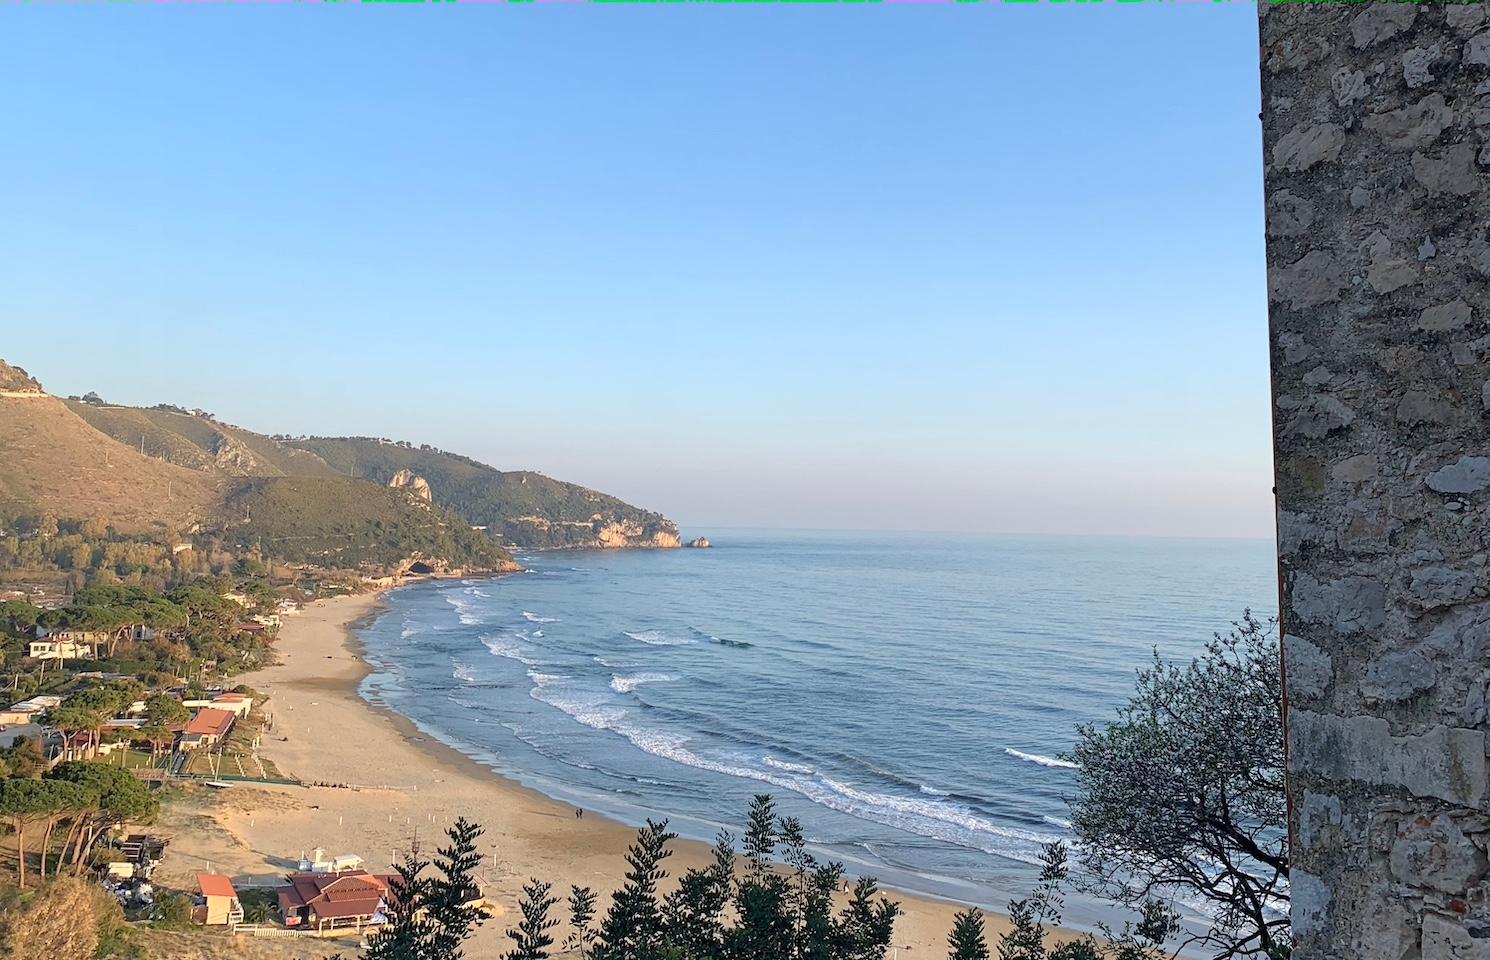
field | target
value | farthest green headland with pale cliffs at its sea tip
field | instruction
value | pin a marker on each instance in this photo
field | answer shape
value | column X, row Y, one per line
column 521, row 508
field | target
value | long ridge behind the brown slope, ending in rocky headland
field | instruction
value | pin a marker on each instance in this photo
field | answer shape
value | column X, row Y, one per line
column 521, row 509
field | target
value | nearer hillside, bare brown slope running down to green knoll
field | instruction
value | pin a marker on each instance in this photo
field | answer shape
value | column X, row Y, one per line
column 83, row 461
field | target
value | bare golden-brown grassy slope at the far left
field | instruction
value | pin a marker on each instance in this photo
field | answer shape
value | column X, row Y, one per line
column 54, row 461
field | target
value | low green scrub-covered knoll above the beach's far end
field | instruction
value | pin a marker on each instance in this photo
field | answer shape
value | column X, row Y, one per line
column 348, row 524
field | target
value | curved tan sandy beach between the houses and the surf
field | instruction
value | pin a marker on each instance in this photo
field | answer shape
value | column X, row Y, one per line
column 409, row 785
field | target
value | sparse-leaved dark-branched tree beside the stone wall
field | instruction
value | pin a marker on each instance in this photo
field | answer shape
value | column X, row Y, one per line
column 1184, row 792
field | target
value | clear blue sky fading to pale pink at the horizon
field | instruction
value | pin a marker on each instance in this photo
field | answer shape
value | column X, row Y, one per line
column 975, row 268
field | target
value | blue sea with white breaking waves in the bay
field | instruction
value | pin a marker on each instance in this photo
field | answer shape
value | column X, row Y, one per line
column 910, row 698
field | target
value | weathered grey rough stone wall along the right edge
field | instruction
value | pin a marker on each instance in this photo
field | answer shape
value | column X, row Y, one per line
column 1376, row 120
